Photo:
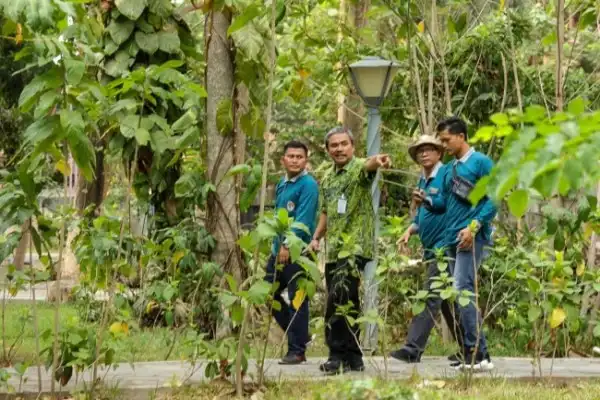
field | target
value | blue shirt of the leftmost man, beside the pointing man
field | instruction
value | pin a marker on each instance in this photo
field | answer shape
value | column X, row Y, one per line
column 300, row 197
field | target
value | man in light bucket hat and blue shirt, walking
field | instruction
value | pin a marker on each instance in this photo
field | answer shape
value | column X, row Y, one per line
column 430, row 226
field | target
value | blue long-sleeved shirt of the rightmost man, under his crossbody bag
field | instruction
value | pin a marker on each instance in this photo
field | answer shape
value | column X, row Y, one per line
column 472, row 166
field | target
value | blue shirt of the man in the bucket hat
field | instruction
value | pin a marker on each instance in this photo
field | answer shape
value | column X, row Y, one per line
column 431, row 223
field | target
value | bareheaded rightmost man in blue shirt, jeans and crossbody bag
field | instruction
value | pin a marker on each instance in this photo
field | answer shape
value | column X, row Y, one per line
column 468, row 231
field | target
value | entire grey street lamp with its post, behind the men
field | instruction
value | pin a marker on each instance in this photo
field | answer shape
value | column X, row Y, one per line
column 372, row 78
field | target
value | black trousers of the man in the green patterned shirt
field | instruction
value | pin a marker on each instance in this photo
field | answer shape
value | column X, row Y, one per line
column 343, row 284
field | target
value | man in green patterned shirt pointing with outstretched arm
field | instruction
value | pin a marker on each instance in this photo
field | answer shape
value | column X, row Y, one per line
column 346, row 210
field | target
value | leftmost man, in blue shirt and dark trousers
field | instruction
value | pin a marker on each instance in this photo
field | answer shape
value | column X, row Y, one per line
column 298, row 193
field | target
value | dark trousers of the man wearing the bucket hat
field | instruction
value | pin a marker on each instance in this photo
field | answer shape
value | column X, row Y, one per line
column 422, row 324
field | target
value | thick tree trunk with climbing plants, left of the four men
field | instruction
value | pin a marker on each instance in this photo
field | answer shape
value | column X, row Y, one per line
column 223, row 208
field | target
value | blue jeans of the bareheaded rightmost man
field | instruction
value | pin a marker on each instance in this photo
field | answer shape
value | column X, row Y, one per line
column 463, row 264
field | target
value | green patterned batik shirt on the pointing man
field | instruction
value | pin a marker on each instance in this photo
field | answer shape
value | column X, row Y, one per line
column 352, row 184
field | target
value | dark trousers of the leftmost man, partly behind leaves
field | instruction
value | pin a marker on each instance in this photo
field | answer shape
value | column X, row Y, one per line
column 295, row 322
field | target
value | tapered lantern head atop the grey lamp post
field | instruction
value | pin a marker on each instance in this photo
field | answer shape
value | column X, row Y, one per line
column 373, row 77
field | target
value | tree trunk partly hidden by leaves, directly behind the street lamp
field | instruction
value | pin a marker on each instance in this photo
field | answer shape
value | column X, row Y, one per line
column 355, row 109
